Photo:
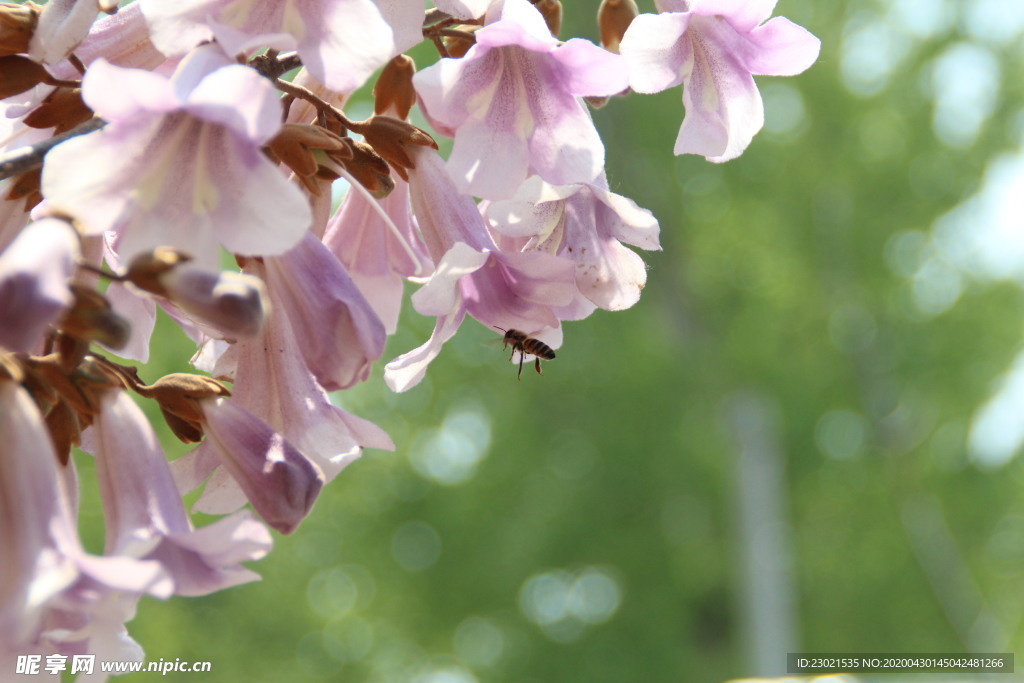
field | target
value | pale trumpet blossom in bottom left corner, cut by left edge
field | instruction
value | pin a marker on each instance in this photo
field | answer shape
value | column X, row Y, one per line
column 53, row 593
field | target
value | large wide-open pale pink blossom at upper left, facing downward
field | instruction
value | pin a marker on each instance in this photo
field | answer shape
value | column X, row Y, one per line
column 180, row 163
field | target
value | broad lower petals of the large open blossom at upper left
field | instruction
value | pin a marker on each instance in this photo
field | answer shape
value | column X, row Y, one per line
column 177, row 182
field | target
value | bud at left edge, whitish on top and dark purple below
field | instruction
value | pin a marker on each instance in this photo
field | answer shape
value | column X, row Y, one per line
column 34, row 274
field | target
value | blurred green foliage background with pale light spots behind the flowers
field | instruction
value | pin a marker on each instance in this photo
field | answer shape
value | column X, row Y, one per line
column 801, row 440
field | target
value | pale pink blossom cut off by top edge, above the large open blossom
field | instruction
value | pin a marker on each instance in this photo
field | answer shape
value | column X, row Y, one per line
column 342, row 42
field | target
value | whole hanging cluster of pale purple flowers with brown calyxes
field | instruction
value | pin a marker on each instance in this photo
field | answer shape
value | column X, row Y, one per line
column 177, row 134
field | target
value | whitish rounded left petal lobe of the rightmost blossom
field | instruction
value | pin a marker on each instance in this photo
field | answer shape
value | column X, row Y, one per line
column 658, row 59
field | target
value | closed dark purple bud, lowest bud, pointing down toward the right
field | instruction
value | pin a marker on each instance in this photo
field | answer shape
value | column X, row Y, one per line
column 278, row 480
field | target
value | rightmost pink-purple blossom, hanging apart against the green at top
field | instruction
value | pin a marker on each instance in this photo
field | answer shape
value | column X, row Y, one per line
column 714, row 49
